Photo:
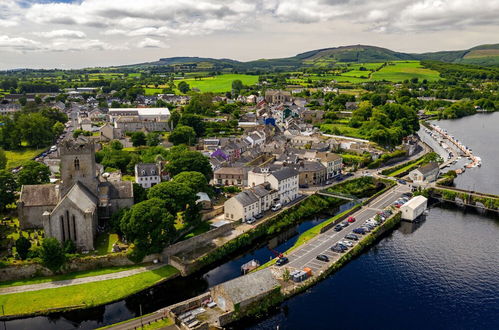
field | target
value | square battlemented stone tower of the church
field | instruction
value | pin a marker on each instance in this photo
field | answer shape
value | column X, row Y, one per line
column 78, row 165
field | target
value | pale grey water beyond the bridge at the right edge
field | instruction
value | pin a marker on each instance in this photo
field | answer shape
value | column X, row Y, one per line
column 480, row 133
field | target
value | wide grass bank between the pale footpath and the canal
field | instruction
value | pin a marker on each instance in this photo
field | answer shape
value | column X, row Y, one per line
column 82, row 295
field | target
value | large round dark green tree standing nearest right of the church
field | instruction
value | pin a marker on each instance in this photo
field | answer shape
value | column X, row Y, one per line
column 149, row 225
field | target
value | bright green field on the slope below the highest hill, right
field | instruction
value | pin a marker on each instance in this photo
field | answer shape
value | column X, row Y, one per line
column 400, row 71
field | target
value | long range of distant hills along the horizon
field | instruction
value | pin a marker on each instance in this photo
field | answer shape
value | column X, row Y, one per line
column 480, row 55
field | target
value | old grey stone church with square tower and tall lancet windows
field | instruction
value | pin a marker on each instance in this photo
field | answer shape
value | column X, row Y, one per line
column 73, row 208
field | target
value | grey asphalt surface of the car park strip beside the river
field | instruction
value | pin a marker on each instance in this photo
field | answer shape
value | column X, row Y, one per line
column 305, row 256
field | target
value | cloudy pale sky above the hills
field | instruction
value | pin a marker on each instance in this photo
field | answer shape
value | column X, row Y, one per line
column 87, row 33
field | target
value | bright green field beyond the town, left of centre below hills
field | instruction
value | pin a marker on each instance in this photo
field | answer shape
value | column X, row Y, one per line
column 219, row 84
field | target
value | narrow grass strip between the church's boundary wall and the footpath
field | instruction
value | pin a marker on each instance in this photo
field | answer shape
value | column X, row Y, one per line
column 70, row 276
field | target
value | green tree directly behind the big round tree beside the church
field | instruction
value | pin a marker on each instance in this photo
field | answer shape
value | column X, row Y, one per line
column 176, row 196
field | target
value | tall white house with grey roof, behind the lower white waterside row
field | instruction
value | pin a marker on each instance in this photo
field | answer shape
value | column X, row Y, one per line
column 285, row 181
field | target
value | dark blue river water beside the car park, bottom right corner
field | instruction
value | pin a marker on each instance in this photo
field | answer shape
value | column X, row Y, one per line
column 441, row 274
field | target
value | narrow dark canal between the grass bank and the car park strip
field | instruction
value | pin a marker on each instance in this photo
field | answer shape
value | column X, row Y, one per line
column 172, row 291
